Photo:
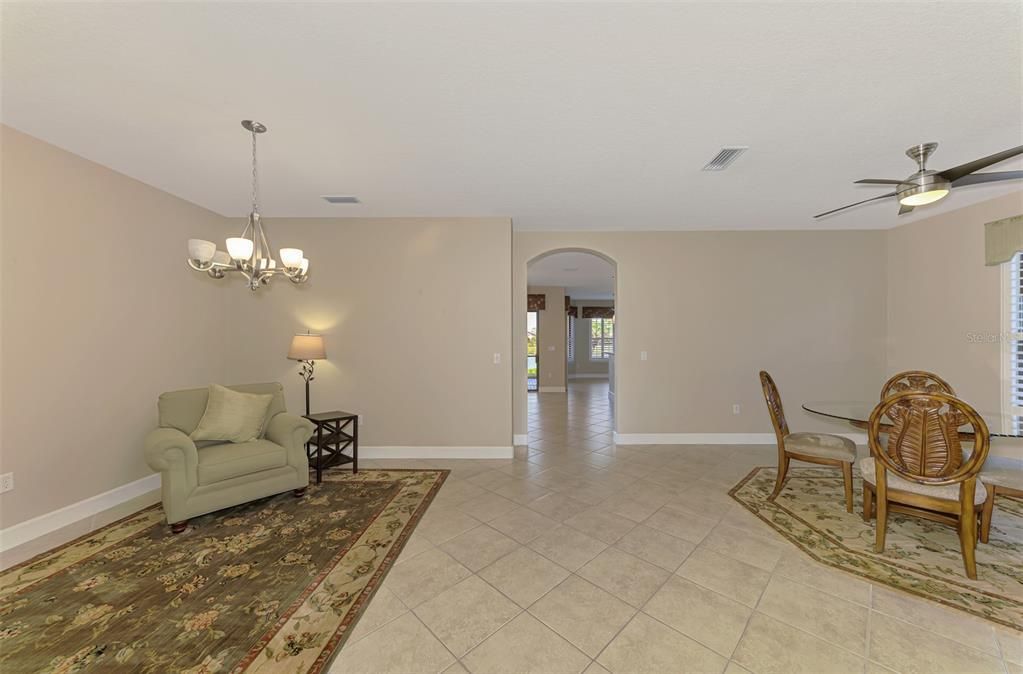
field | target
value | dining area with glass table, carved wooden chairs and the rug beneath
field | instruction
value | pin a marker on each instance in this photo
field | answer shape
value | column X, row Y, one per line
column 922, row 506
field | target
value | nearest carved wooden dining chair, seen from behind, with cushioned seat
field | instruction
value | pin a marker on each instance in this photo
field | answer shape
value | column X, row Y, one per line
column 922, row 471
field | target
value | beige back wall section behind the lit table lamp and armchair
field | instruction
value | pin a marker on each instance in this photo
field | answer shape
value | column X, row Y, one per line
column 414, row 311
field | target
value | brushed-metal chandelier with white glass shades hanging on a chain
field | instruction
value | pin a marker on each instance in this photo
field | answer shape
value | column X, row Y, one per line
column 249, row 254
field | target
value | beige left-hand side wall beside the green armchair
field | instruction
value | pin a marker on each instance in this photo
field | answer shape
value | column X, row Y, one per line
column 101, row 316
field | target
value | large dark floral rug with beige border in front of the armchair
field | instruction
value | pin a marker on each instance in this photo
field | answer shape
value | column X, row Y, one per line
column 273, row 587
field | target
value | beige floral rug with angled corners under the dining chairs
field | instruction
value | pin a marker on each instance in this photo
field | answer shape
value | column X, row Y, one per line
column 921, row 557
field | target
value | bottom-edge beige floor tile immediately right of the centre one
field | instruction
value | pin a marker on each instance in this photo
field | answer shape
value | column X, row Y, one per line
column 646, row 647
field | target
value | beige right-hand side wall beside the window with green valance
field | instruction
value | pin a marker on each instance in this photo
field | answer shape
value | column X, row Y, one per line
column 945, row 306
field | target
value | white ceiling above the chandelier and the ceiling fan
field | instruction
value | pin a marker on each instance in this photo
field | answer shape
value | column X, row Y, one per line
column 568, row 116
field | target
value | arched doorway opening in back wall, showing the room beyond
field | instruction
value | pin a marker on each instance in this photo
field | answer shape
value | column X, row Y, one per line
column 571, row 333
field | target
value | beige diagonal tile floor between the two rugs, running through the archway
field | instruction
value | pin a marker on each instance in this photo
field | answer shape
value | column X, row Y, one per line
column 580, row 556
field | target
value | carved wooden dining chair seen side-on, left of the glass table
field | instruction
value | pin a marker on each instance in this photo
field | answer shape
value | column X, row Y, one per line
column 821, row 448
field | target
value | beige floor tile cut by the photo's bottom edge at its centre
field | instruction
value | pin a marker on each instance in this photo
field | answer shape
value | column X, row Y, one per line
column 526, row 647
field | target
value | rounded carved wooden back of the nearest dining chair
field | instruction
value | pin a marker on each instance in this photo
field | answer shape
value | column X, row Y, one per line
column 924, row 441
